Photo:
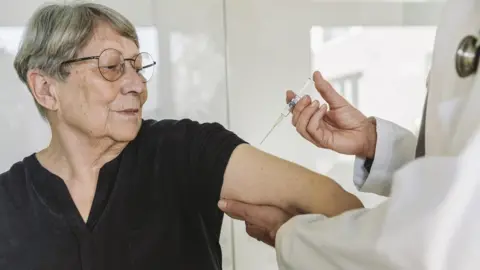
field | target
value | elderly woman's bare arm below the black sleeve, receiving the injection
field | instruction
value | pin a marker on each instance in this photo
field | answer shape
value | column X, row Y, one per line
column 256, row 177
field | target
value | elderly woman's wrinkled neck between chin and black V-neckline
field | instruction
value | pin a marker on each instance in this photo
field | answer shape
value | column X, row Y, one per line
column 76, row 157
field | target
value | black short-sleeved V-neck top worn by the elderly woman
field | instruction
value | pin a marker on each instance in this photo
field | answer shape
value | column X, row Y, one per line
column 155, row 206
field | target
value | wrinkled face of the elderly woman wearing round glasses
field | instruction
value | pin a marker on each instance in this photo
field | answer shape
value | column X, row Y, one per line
column 98, row 107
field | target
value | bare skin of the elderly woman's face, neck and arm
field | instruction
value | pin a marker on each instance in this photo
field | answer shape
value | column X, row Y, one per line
column 89, row 129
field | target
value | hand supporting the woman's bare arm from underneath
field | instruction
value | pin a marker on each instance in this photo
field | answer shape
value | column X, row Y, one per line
column 262, row 222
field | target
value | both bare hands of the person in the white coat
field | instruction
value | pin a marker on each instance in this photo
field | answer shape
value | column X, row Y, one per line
column 343, row 129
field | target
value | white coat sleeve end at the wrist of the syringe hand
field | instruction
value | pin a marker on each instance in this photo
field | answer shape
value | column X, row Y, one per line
column 395, row 148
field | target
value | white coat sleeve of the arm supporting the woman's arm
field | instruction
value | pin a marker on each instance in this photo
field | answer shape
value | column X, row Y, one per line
column 430, row 222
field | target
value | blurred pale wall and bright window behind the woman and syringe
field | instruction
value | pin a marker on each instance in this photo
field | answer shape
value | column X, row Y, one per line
column 230, row 61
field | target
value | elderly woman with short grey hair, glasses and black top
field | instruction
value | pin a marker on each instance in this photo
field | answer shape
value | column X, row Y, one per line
column 114, row 191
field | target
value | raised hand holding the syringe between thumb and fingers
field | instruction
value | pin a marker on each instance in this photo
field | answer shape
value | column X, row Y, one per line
column 342, row 128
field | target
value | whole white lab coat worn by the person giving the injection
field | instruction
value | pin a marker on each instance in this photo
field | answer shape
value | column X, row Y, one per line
column 432, row 219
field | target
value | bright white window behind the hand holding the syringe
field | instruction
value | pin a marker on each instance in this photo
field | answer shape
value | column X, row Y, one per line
column 379, row 69
